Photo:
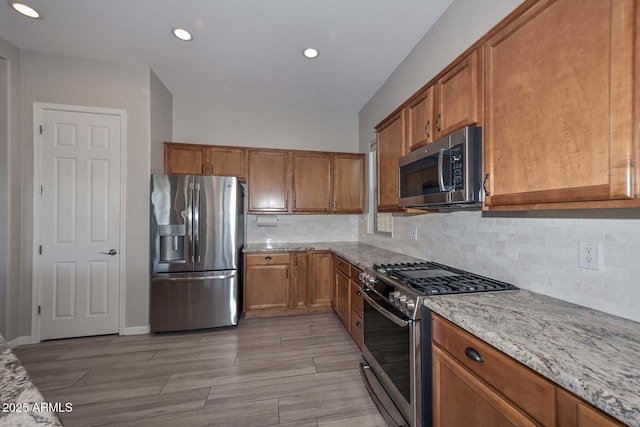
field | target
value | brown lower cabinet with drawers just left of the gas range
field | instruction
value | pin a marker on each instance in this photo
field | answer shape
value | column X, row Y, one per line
column 347, row 297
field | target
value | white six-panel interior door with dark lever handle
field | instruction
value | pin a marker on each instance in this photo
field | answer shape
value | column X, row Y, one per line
column 79, row 224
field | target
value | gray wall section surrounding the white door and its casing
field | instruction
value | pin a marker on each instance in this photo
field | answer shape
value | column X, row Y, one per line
column 76, row 81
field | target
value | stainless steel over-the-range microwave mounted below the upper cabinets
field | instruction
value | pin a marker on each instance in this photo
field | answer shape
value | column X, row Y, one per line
column 446, row 174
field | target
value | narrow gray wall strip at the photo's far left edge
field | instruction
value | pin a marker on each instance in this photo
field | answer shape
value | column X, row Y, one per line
column 10, row 190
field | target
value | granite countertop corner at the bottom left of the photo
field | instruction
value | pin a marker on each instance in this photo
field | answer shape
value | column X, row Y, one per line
column 21, row 403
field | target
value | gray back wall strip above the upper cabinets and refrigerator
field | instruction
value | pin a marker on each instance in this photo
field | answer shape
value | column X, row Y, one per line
column 244, row 123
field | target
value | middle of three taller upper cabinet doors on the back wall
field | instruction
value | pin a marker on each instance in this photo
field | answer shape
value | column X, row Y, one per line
column 311, row 182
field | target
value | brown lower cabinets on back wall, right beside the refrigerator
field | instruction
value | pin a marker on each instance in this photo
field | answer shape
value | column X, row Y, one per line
column 282, row 283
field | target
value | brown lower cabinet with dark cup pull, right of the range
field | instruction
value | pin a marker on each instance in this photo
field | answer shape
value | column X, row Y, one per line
column 475, row 384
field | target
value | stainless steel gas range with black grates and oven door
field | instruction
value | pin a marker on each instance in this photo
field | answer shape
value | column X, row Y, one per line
column 394, row 330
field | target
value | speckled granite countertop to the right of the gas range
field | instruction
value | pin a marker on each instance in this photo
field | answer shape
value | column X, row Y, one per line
column 590, row 353
